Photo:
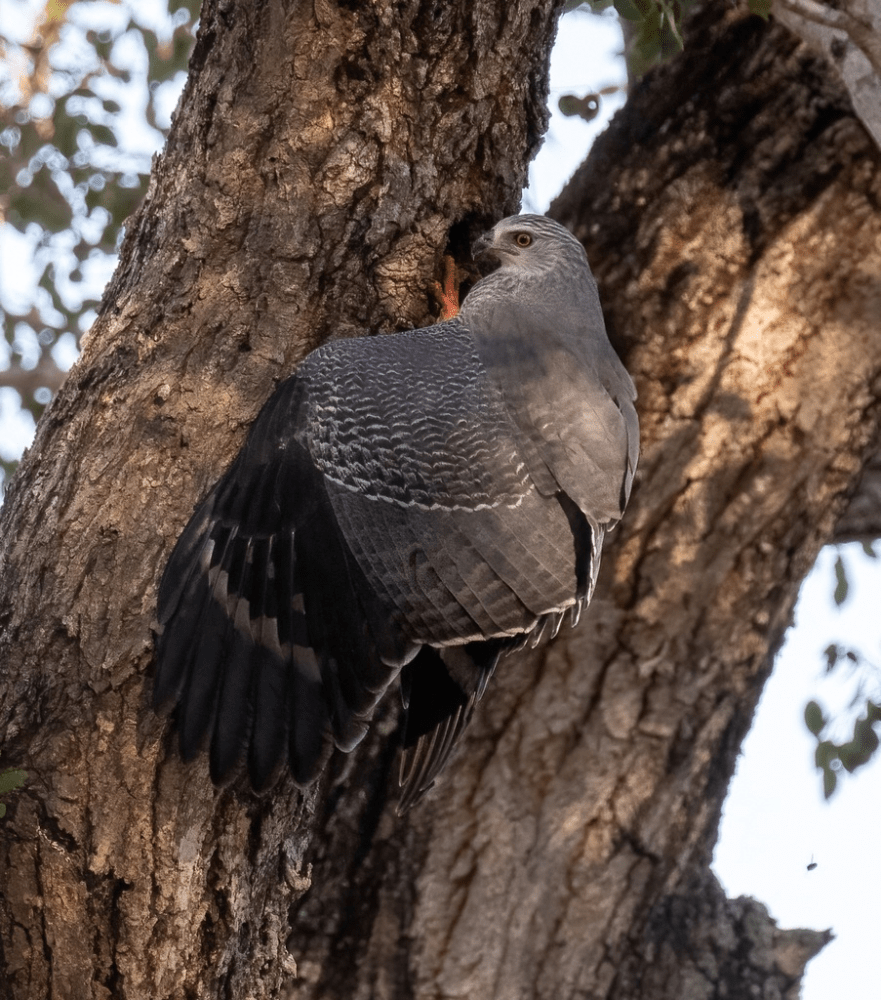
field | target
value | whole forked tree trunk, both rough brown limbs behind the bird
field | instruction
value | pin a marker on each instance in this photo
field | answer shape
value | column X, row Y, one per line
column 320, row 163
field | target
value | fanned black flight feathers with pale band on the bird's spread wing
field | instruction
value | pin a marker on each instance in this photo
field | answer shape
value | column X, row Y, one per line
column 262, row 612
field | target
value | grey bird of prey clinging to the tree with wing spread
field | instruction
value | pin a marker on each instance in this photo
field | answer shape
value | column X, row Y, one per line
column 407, row 507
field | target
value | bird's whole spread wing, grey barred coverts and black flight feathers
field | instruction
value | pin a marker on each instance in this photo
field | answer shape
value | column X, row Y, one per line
column 380, row 503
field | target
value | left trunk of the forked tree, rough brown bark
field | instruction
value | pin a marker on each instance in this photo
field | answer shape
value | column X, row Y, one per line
column 323, row 157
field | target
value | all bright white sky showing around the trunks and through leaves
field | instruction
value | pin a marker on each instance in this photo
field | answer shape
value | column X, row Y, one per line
column 775, row 821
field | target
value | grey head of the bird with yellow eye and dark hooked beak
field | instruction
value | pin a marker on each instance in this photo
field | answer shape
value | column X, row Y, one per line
column 530, row 242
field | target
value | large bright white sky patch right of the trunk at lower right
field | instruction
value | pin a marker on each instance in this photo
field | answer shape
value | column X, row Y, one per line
column 776, row 821
